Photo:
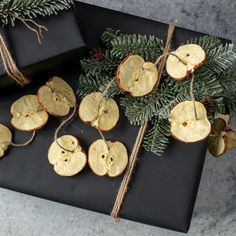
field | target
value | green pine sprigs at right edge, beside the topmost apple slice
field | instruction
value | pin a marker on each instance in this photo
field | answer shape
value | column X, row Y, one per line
column 210, row 77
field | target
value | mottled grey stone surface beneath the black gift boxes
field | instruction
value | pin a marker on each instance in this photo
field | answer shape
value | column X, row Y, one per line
column 215, row 211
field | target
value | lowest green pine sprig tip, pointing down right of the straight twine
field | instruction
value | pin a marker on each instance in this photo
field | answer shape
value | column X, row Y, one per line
column 157, row 138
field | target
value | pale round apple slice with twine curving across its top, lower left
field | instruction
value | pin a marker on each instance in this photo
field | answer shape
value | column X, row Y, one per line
column 69, row 160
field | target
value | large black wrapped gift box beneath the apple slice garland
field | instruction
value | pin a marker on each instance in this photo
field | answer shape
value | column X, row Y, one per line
column 162, row 191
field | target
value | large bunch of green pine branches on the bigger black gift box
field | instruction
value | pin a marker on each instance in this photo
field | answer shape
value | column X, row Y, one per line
column 214, row 80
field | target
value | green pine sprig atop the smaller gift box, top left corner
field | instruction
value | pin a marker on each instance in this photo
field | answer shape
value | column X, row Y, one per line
column 30, row 9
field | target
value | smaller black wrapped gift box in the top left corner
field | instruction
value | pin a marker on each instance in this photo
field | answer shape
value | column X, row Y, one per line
column 61, row 45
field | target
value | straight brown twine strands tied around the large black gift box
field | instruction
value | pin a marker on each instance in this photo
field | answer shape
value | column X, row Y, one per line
column 134, row 154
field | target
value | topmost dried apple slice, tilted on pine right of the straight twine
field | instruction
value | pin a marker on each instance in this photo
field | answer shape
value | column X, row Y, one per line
column 192, row 56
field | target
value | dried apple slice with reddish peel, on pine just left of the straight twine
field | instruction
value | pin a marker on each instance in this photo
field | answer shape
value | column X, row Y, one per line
column 136, row 76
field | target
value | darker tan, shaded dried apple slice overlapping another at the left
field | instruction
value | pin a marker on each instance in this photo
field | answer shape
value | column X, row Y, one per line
column 57, row 97
